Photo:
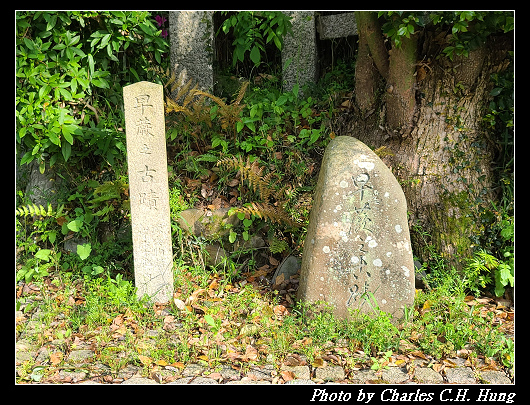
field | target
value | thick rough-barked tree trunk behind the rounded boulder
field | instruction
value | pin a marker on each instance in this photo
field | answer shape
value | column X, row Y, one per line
column 444, row 159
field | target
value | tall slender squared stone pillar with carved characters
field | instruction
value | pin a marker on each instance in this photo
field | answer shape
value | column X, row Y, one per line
column 148, row 186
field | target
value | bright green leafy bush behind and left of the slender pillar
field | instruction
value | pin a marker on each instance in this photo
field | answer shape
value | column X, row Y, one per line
column 70, row 69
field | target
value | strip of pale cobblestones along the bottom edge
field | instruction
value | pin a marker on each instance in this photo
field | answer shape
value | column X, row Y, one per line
column 84, row 371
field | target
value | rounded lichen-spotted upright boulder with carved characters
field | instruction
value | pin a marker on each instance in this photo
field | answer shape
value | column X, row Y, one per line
column 358, row 239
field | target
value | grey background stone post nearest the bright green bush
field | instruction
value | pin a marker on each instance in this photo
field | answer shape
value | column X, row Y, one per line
column 191, row 46
